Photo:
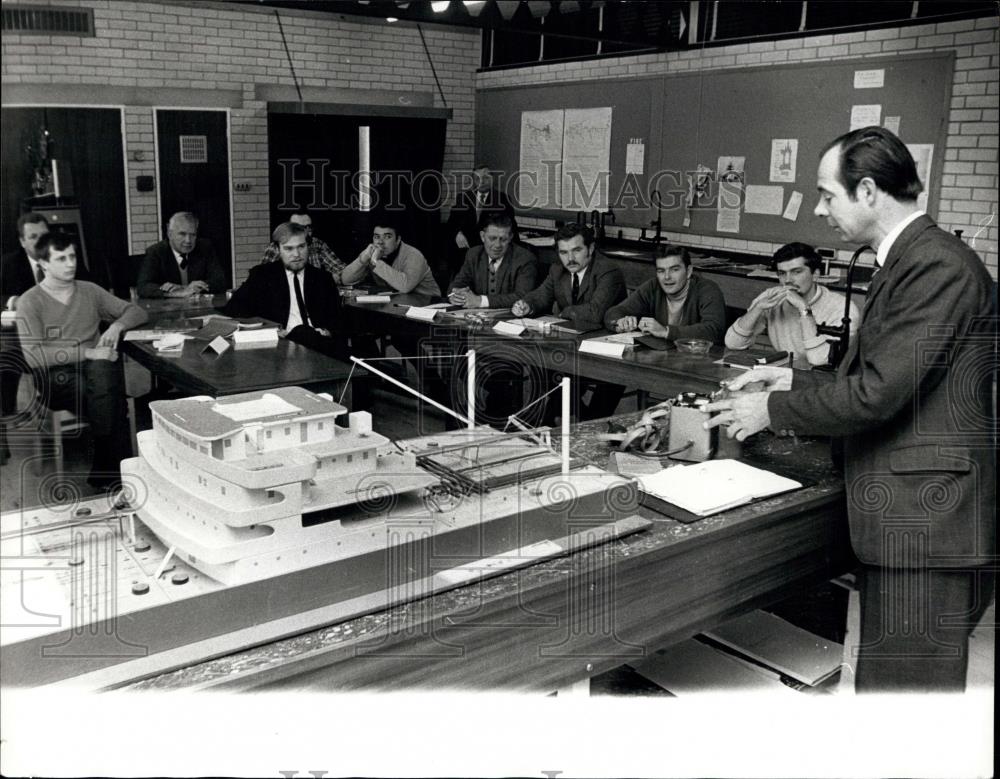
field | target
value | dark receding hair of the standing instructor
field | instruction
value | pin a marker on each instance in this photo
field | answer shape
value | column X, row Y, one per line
column 878, row 154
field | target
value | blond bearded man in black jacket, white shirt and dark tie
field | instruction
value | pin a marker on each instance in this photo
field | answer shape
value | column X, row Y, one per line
column 301, row 298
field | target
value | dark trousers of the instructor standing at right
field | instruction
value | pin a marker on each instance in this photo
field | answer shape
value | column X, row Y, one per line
column 915, row 625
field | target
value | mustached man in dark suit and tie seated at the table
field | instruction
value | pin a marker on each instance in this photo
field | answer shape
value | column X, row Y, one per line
column 582, row 286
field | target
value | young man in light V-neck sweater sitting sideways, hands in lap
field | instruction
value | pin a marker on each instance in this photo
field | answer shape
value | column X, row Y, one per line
column 75, row 366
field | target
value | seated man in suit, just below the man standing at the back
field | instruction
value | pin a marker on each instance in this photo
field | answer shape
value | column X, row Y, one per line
column 497, row 273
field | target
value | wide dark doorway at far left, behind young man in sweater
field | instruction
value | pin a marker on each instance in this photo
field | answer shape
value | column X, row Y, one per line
column 89, row 141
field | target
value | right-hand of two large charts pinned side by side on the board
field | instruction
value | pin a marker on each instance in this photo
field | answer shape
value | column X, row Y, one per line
column 586, row 158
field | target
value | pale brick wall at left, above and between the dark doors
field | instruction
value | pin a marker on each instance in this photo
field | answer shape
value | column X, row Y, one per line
column 212, row 46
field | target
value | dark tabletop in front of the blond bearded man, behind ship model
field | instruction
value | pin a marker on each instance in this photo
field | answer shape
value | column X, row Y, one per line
column 236, row 370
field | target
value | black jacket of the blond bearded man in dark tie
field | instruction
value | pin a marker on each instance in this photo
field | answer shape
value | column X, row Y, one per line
column 265, row 294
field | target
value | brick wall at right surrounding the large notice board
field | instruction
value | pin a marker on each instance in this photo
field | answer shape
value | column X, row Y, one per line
column 969, row 176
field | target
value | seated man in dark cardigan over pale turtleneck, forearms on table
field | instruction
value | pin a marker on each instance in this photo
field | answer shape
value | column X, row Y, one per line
column 676, row 304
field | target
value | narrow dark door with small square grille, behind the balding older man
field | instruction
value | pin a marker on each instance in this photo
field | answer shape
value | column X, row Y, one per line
column 193, row 156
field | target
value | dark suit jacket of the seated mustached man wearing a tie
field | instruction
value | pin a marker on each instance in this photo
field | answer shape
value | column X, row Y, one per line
column 603, row 286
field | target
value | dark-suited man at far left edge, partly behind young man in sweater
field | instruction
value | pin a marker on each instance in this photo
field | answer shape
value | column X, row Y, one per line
column 20, row 271
